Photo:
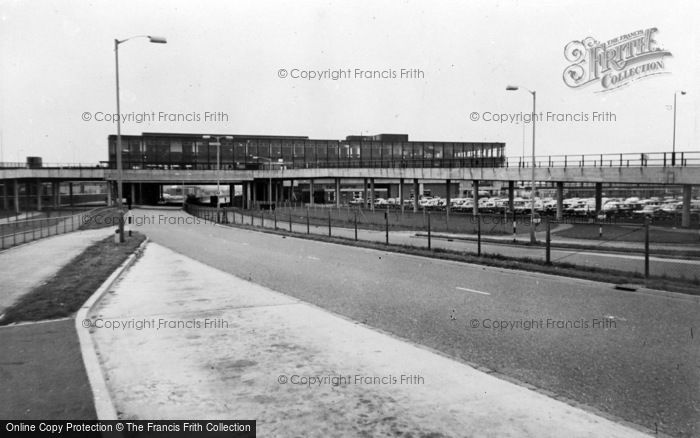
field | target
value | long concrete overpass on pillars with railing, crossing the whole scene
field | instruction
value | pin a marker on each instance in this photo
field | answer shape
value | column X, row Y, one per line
column 267, row 181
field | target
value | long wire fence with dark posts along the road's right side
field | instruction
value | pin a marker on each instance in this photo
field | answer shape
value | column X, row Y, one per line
column 641, row 249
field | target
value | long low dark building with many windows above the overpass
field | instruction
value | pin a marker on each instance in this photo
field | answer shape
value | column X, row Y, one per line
column 252, row 152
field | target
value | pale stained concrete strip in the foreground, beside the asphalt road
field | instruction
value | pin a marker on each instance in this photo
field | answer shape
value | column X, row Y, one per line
column 243, row 351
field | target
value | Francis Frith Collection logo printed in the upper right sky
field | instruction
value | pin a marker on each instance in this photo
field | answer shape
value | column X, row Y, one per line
column 616, row 62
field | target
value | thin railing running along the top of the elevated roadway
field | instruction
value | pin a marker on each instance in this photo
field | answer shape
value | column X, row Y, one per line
column 645, row 159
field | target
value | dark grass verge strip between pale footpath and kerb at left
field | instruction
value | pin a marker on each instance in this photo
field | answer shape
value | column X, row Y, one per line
column 66, row 292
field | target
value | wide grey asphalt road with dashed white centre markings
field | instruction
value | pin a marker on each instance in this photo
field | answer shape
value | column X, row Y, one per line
column 633, row 355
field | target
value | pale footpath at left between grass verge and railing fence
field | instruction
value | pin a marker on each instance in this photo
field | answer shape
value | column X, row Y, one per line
column 27, row 266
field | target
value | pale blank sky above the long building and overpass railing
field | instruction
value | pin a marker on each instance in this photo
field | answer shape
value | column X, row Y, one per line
column 57, row 62
